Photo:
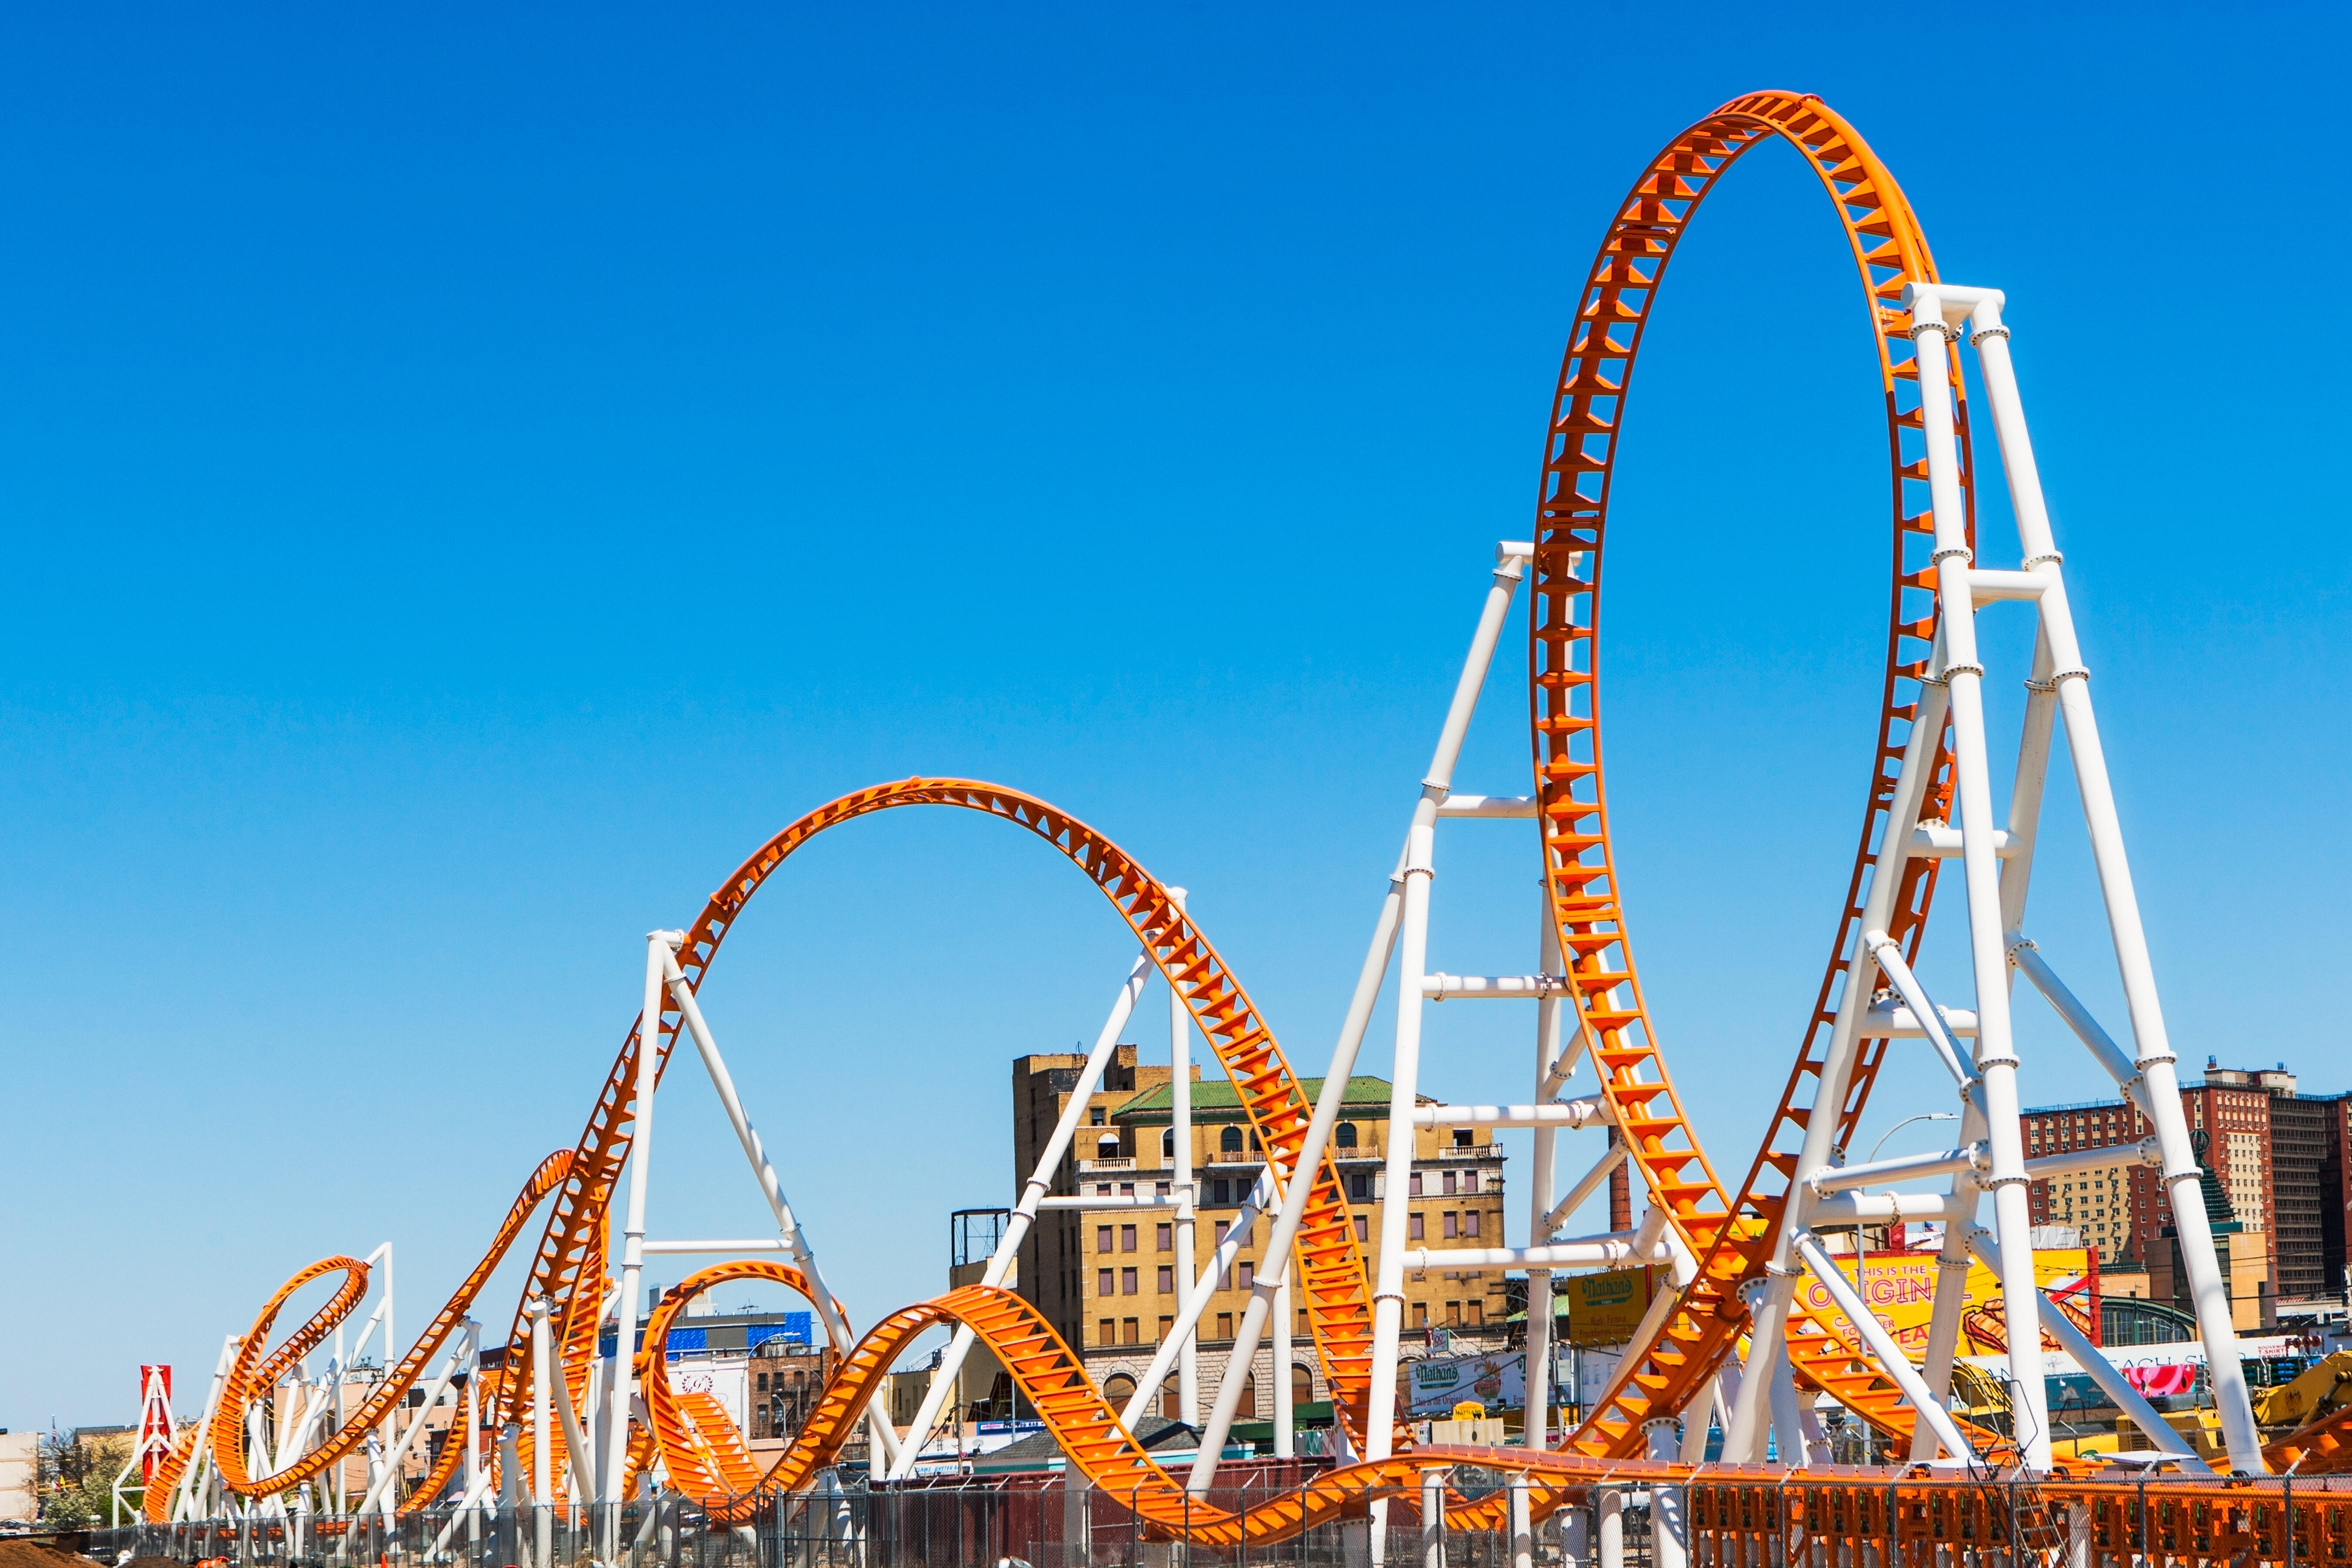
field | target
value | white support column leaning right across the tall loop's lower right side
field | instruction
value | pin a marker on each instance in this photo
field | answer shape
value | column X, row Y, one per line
column 1768, row 1348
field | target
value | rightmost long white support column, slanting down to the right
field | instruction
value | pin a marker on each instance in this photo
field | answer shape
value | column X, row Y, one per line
column 2156, row 1054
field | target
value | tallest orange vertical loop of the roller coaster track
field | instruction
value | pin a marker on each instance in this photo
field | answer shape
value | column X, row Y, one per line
column 1579, row 866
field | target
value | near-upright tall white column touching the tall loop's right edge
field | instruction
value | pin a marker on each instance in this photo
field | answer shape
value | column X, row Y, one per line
column 1989, row 958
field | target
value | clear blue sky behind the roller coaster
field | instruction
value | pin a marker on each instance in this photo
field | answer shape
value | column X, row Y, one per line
column 472, row 476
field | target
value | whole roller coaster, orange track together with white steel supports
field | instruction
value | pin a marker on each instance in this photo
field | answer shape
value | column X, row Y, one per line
column 1732, row 1343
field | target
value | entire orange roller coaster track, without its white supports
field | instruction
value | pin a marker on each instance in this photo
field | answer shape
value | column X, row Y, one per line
column 1732, row 1233
